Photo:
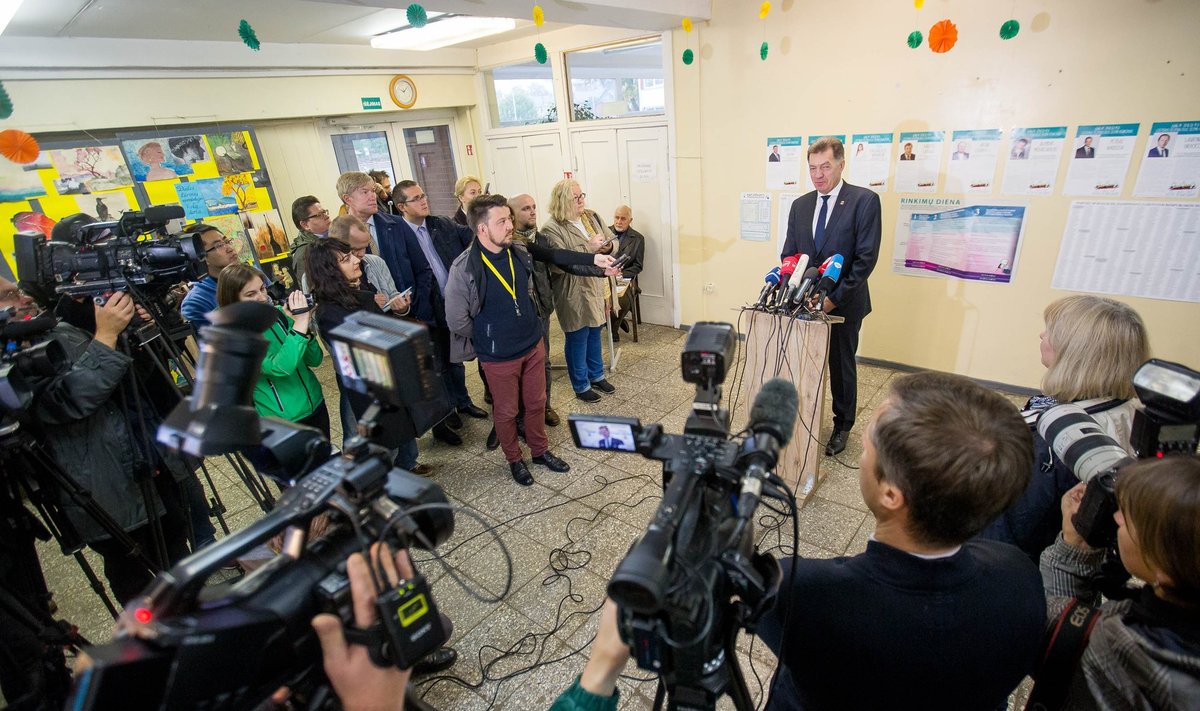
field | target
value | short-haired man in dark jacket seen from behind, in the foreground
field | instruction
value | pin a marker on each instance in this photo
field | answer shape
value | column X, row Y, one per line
column 941, row 620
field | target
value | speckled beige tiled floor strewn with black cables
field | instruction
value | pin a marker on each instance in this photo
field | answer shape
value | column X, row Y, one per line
column 566, row 535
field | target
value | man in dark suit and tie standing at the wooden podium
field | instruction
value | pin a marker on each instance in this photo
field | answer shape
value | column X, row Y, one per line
column 847, row 223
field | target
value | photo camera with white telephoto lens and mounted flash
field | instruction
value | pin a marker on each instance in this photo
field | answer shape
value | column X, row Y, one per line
column 1167, row 425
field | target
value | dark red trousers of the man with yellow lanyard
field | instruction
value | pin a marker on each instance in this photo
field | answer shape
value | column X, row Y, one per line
column 512, row 381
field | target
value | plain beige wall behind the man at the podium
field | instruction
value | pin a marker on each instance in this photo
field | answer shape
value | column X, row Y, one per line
column 849, row 70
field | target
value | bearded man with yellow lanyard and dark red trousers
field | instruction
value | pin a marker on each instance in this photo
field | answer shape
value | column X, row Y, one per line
column 493, row 316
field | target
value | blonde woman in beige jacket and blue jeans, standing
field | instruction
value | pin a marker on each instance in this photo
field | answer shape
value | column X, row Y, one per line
column 580, row 301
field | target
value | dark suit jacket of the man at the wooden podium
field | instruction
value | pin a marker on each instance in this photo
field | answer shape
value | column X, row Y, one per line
column 853, row 231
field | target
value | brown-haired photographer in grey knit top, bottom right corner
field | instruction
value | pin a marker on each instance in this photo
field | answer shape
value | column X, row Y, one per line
column 1143, row 653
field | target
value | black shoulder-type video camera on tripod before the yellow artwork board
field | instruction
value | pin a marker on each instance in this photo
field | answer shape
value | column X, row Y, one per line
column 89, row 259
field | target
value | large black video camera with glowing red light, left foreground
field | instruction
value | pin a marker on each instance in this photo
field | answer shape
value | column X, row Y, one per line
column 183, row 646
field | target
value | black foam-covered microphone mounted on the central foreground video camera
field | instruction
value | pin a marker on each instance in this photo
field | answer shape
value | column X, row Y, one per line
column 772, row 421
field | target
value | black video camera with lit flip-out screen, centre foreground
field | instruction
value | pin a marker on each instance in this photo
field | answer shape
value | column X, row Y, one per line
column 694, row 579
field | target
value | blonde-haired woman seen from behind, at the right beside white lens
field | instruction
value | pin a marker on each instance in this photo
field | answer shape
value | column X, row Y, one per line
column 1091, row 348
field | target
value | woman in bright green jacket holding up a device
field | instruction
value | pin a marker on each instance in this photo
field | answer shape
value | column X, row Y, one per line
column 287, row 389
